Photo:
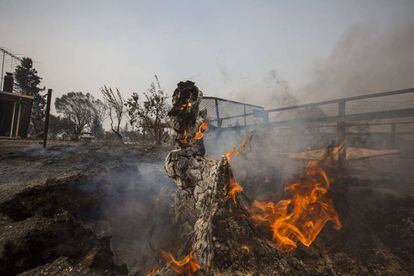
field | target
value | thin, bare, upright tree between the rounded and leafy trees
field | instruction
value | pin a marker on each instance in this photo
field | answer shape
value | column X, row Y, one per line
column 115, row 103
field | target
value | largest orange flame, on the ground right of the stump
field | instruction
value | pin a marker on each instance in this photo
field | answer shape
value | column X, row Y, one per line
column 304, row 214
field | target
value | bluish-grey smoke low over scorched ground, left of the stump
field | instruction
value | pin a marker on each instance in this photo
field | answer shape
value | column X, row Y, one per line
column 135, row 209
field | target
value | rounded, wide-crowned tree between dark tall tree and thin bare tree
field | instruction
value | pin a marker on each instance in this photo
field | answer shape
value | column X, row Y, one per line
column 80, row 109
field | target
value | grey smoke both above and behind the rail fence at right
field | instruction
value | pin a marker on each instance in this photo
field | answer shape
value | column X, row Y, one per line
column 368, row 58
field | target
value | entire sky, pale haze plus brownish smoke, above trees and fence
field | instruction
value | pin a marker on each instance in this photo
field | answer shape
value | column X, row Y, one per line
column 242, row 50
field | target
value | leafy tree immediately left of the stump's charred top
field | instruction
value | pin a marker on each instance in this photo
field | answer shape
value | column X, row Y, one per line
column 150, row 114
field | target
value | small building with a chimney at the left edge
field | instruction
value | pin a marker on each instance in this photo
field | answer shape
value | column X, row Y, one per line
column 15, row 111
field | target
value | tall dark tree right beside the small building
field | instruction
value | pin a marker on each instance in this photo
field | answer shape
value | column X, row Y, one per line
column 28, row 81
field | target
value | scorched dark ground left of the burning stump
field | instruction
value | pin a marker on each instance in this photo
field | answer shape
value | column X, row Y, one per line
column 82, row 209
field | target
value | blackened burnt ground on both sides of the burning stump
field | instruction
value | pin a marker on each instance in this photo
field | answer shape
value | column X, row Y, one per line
column 104, row 209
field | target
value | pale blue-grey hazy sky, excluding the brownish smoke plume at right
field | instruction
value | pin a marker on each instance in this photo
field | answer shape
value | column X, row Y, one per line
column 224, row 46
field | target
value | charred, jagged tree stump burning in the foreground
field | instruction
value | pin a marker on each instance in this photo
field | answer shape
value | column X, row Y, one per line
column 209, row 207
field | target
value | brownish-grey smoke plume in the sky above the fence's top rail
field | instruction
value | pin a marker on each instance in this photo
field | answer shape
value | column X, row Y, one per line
column 369, row 57
